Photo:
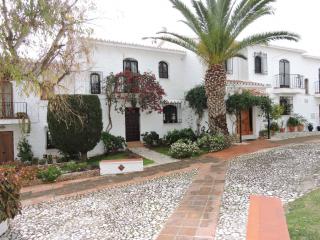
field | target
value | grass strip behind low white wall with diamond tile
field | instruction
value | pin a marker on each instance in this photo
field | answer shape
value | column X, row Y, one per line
column 94, row 161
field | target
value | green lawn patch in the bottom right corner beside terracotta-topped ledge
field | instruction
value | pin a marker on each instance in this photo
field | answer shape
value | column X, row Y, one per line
column 303, row 217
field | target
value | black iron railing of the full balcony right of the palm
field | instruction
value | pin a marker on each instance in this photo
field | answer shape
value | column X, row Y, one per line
column 289, row 81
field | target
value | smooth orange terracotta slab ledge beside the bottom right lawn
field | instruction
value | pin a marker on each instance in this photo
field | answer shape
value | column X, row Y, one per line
column 266, row 219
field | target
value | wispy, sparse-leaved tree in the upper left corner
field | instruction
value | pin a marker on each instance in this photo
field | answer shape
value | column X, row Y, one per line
column 42, row 42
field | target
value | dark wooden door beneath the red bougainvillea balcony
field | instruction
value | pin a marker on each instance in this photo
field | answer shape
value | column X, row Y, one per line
column 132, row 116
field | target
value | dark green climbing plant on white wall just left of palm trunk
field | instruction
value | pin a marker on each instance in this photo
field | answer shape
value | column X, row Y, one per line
column 197, row 100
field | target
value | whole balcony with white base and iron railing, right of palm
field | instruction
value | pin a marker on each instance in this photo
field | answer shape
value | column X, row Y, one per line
column 289, row 84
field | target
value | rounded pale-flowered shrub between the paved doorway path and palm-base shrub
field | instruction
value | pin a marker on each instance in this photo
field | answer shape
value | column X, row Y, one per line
column 184, row 149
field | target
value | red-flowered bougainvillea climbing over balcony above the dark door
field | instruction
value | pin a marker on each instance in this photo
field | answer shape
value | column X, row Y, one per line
column 135, row 89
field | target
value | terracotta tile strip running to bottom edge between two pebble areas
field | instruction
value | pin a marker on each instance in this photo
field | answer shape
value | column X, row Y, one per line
column 196, row 217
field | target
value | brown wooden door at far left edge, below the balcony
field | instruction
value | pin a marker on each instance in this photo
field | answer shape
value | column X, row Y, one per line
column 6, row 147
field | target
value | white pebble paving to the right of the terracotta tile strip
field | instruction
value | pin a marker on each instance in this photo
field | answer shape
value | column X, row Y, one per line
column 287, row 172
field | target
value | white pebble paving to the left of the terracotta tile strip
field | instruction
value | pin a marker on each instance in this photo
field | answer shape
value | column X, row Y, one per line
column 131, row 212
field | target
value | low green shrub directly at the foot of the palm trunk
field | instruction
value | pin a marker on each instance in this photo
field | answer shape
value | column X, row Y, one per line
column 214, row 142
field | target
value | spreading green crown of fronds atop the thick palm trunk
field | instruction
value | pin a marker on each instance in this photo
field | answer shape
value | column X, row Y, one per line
column 217, row 25
